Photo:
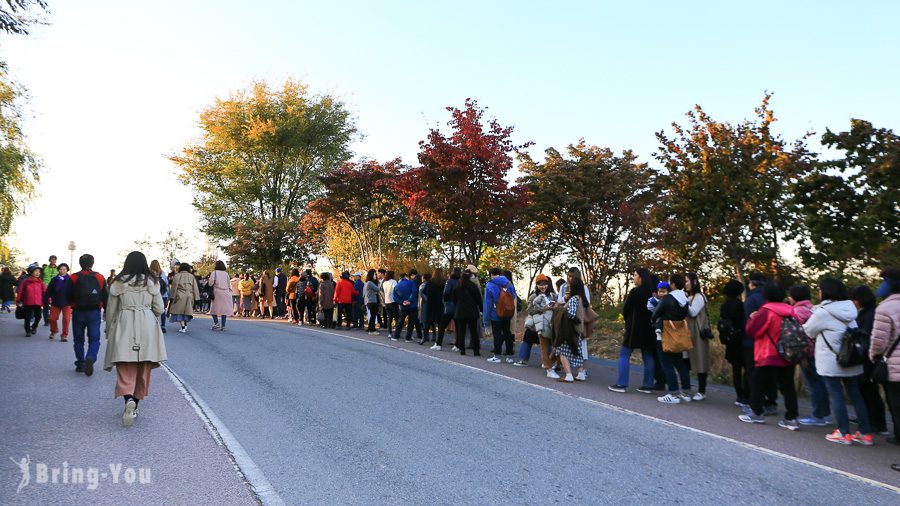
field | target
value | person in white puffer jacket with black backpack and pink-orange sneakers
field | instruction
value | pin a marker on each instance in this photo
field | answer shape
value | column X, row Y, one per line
column 829, row 322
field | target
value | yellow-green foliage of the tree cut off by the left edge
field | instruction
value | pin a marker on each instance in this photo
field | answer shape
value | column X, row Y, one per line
column 19, row 167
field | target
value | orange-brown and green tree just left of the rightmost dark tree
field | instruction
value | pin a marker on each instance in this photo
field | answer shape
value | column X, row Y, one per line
column 725, row 191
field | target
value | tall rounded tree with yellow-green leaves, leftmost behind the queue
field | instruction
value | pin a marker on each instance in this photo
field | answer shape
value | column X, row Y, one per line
column 259, row 161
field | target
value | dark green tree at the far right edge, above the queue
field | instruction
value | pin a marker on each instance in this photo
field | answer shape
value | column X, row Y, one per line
column 850, row 206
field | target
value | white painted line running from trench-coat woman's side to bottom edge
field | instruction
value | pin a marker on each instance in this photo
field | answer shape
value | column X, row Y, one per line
column 259, row 485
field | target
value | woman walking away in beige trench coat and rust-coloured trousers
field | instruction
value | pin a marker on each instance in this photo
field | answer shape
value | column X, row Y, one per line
column 135, row 344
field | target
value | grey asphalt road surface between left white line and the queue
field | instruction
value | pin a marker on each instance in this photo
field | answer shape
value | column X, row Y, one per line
column 333, row 420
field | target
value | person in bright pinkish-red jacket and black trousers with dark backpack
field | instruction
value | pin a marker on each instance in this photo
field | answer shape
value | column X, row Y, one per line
column 764, row 327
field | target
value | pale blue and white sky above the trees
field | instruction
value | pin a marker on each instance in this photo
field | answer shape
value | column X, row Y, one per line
column 118, row 85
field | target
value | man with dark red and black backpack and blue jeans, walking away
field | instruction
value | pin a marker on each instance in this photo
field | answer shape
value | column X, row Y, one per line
column 88, row 296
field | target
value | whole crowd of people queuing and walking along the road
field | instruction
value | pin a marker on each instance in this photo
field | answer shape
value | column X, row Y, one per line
column 766, row 329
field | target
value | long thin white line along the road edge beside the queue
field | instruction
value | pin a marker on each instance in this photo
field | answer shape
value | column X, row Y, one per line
column 620, row 409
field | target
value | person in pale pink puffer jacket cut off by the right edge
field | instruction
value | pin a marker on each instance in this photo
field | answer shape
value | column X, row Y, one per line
column 884, row 343
